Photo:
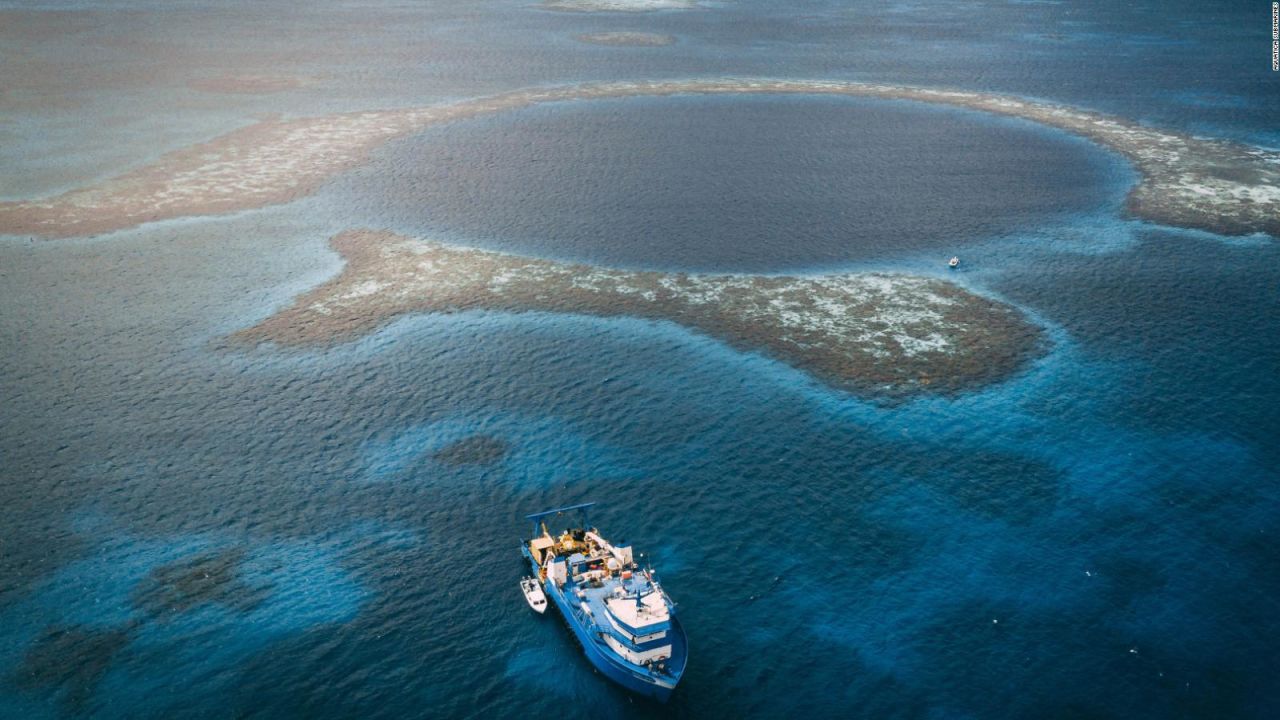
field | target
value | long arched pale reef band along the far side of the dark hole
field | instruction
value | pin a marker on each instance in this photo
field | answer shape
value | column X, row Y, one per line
column 1186, row 181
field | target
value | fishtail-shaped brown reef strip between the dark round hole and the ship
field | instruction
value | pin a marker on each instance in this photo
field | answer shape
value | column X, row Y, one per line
column 876, row 334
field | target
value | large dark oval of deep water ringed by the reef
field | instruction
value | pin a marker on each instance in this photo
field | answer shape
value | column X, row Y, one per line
column 729, row 184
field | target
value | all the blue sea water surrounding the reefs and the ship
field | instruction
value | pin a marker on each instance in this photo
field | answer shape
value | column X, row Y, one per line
column 193, row 532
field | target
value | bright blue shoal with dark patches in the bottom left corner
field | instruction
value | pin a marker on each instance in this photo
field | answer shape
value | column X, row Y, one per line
column 141, row 617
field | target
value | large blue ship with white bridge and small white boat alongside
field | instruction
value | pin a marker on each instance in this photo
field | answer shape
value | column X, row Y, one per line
column 619, row 613
